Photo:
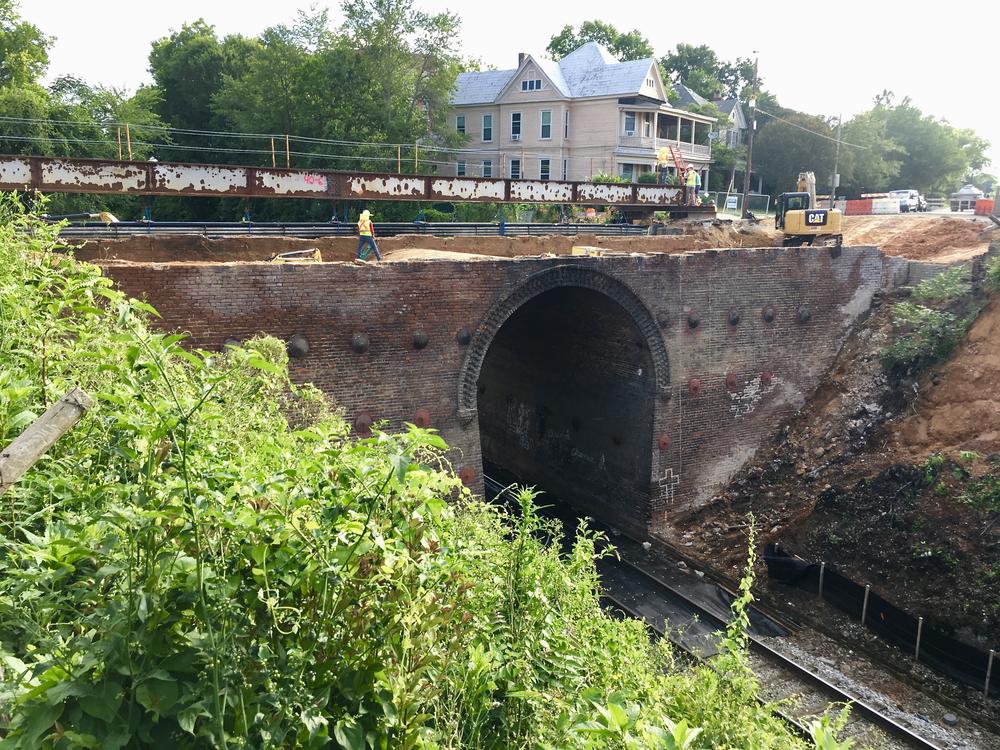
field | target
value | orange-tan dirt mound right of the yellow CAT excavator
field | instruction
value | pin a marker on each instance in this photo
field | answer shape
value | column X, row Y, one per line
column 940, row 238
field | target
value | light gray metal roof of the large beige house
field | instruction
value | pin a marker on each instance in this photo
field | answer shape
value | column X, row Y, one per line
column 589, row 70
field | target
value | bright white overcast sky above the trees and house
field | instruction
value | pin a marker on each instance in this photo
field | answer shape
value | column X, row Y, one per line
column 821, row 58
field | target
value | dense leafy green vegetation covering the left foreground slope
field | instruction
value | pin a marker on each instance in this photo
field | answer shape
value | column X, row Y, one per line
column 209, row 560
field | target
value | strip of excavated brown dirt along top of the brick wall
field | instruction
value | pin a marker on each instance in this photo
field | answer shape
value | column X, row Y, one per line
column 195, row 248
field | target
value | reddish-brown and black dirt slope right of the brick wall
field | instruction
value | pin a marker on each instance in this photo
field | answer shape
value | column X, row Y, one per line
column 896, row 484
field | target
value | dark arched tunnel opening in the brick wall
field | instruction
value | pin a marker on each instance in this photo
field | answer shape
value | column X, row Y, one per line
column 565, row 399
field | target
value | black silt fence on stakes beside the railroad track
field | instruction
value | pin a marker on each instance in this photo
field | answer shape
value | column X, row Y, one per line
column 952, row 657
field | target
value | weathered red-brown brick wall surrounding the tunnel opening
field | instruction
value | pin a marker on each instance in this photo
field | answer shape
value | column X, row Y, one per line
column 738, row 338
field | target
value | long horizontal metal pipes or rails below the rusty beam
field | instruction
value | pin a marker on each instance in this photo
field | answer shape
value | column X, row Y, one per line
column 95, row 230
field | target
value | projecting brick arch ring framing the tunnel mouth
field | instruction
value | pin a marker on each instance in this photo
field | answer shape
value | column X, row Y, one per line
column 539, row 283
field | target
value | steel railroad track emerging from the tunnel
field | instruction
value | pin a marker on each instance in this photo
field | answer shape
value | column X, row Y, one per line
column 693, row 627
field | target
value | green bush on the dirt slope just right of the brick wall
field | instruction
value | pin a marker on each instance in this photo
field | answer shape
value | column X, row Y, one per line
column 923, row 336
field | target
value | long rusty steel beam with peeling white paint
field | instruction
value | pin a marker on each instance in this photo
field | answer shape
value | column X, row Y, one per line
column 63, row 175
